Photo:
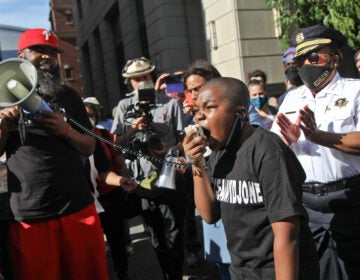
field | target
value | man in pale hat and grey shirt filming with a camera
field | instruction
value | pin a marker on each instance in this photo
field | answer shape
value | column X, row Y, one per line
column 151, row 123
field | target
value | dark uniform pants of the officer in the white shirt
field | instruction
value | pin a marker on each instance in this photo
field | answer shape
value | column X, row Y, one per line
column 334, row 220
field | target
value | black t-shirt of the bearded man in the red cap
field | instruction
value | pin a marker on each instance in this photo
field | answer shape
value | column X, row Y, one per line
column 46, row 176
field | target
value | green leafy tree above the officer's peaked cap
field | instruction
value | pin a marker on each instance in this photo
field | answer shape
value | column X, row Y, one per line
column 342, row 15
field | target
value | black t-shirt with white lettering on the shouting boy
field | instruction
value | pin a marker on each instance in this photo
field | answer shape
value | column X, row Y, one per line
column 259, row 183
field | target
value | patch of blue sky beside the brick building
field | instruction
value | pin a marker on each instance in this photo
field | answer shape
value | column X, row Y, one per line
column 25, row 13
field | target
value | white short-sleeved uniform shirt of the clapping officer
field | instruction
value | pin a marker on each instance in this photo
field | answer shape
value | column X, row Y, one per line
column 336, row 109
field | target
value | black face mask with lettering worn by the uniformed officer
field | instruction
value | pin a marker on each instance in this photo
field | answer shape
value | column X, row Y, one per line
column 314, row 76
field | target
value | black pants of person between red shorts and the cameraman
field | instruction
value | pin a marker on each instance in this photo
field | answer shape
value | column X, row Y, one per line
column 113, row 223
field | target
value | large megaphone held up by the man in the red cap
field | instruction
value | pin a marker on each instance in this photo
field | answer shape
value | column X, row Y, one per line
column 18, row 82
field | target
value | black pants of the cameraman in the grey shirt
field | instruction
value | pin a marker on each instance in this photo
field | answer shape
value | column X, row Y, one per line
column 164, row 218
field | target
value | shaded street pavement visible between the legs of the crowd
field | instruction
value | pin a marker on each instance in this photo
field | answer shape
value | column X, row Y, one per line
column 143, row 264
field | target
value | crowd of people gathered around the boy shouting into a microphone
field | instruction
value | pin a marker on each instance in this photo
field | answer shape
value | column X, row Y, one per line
column 274, row 179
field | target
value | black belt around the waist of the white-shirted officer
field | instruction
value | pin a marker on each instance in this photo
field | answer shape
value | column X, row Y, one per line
column 325, row 188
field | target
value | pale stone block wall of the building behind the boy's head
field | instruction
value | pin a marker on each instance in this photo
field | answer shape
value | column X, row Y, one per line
column 246, row 38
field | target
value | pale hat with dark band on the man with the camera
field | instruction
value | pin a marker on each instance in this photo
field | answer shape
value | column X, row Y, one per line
column 137, row 67
